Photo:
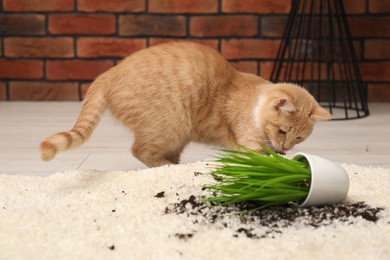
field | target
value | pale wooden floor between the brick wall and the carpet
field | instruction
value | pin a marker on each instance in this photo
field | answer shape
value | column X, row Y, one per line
column 24, row 124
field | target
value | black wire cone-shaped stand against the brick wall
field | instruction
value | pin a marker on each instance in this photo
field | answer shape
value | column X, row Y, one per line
column 317, row 53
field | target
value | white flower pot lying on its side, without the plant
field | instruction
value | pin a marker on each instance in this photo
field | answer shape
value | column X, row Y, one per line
column 329, row 182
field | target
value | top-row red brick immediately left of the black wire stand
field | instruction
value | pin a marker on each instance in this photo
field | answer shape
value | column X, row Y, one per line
column 256, row 6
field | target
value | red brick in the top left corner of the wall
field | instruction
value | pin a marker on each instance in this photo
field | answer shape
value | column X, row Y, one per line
column 37, row 5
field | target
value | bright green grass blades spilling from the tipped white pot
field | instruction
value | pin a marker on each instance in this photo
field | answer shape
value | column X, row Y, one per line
column 248, row 176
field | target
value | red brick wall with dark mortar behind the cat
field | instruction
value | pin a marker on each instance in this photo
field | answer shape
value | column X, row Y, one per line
column 52, row 49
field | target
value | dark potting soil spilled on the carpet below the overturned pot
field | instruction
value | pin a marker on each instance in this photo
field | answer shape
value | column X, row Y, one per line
column 272, row 220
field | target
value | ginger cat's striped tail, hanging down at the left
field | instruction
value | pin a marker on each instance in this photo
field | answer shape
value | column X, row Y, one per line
column 92, row 110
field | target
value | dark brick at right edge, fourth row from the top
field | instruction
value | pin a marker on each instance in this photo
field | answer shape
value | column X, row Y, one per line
column 375, row 71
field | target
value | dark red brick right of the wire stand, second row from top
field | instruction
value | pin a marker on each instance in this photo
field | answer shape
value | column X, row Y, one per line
column 367, row 26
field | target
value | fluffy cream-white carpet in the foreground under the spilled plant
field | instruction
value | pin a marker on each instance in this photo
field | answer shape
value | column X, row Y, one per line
column 115, row 215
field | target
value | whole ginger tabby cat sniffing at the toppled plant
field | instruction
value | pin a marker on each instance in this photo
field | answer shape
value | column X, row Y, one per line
column 178, row 92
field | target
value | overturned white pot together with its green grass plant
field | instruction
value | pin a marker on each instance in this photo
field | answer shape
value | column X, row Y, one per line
column 305, row 180
